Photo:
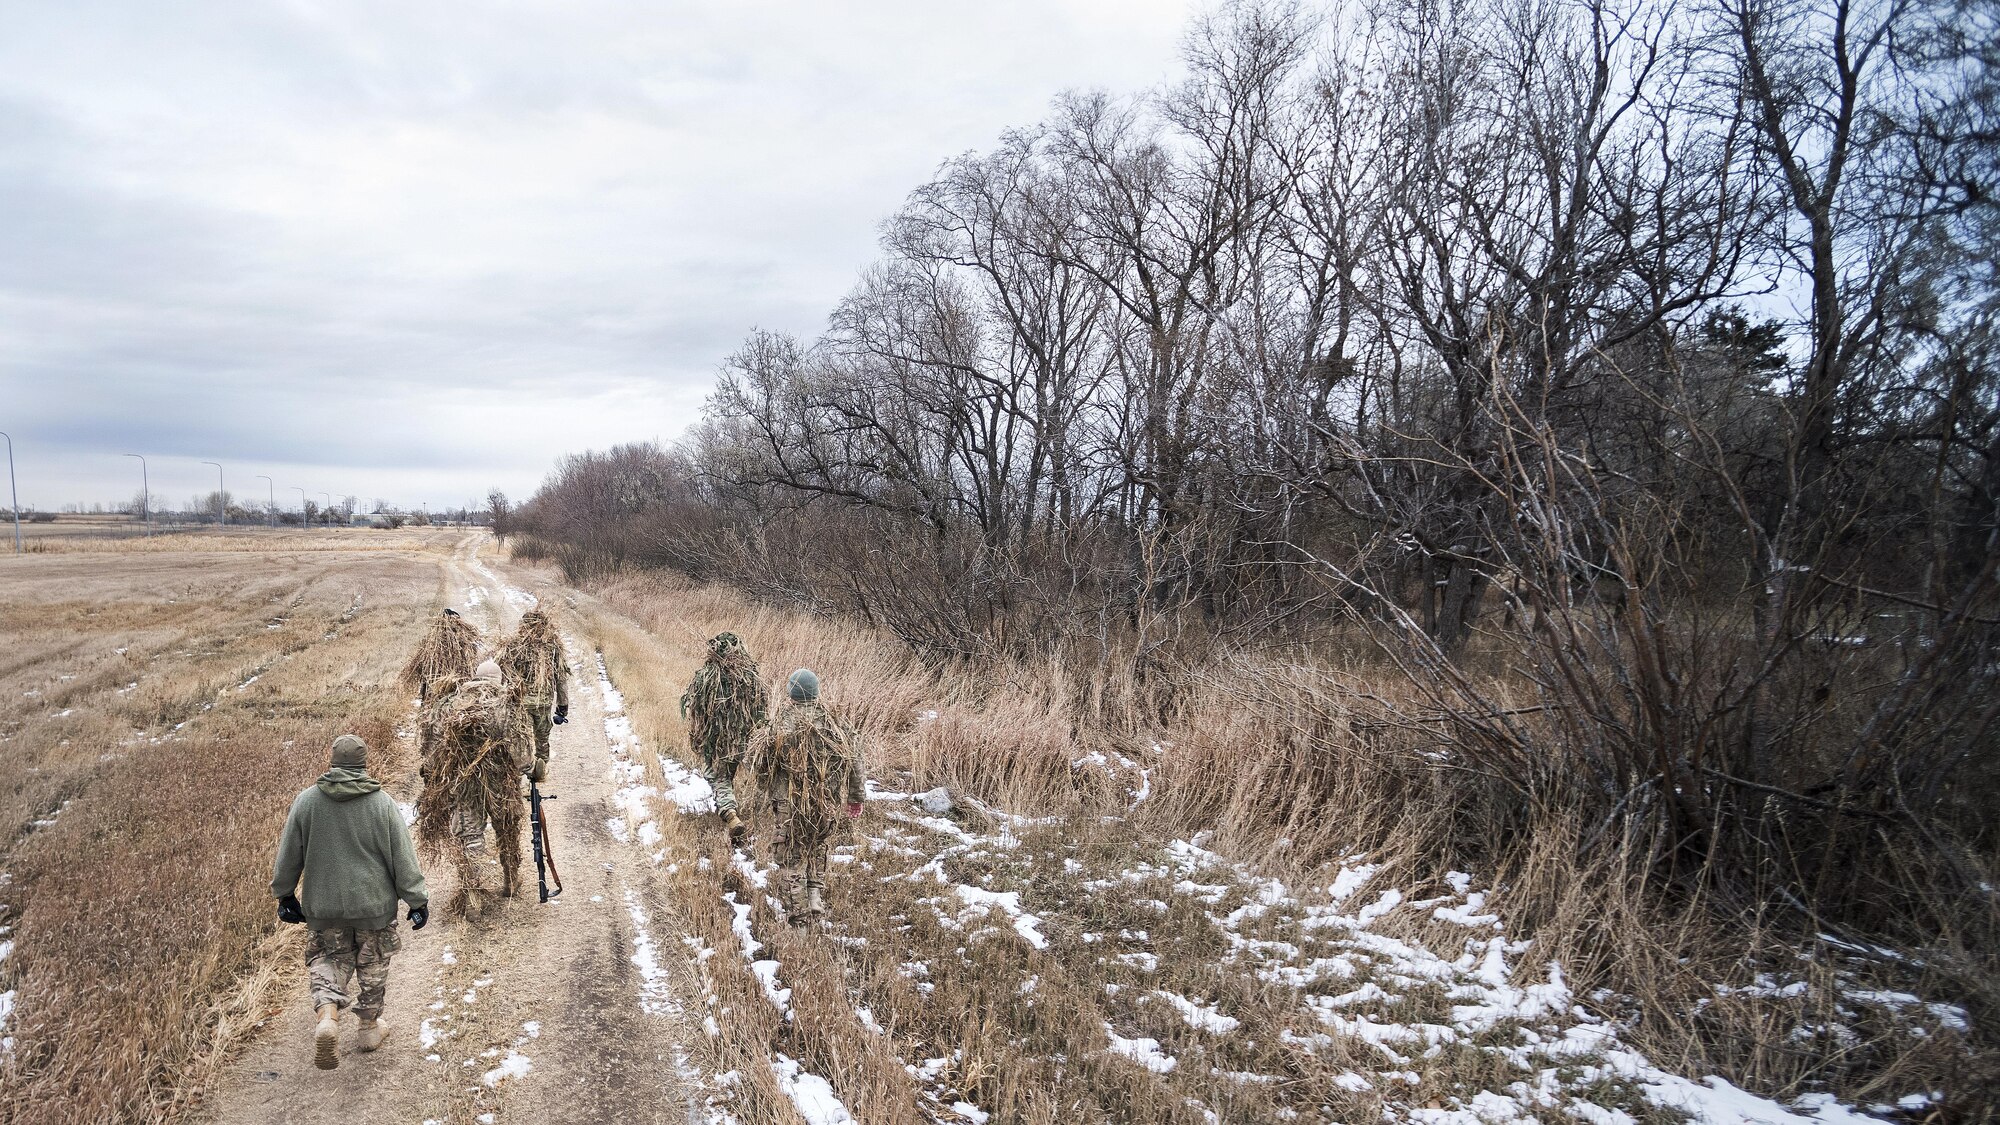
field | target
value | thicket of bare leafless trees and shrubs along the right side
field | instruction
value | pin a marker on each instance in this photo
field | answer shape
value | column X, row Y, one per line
column 1623, row 371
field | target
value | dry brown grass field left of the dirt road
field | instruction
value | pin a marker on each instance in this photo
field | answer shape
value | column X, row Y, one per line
column 175, row 704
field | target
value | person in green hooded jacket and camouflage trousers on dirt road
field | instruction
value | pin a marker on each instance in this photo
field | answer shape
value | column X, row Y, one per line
column 343, row 864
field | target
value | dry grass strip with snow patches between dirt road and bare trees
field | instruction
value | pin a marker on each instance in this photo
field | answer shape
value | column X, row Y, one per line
column 1229, row 922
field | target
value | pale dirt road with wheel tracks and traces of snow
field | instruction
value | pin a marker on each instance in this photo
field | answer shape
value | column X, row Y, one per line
column 561, row 1012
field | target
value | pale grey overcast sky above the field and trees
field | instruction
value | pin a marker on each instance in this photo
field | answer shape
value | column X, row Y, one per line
column 415, row 251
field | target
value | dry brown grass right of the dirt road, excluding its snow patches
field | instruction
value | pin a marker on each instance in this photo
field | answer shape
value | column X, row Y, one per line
column 1287, row 766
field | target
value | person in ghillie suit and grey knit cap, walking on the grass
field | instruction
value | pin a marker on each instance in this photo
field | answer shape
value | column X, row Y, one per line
column 811, row 766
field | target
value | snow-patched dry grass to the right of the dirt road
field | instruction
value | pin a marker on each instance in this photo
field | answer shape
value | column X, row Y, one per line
column 1053, row 932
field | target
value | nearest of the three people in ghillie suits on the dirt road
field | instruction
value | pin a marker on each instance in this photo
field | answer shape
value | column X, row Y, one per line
column 475, row 746
